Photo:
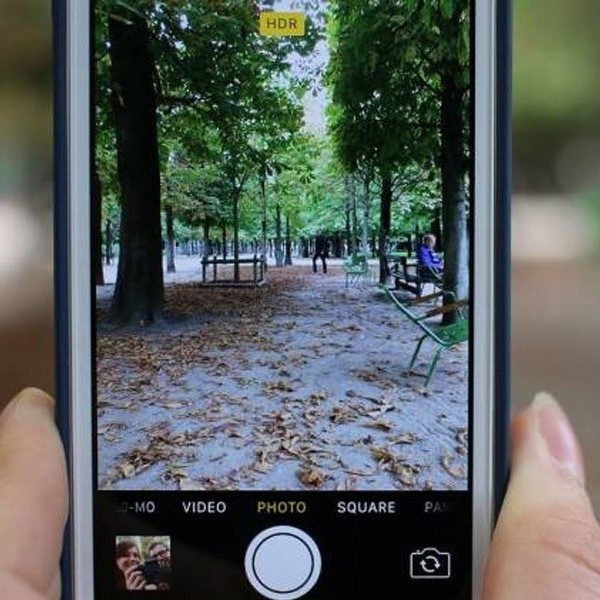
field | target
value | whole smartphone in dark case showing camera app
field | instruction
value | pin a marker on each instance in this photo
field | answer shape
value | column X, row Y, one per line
column 282, row 274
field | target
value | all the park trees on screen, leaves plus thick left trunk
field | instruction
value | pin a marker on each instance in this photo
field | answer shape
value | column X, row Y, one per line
column 359, row 128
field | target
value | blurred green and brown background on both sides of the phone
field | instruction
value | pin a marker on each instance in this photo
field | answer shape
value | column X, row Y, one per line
column 556, row 207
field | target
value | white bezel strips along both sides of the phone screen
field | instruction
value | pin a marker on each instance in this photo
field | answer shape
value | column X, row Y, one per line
column 78, row 111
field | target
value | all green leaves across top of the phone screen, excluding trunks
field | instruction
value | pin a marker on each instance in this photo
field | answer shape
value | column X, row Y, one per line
column 230, row 108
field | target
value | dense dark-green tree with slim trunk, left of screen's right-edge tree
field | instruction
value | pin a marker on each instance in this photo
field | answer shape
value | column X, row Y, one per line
column 379, row 121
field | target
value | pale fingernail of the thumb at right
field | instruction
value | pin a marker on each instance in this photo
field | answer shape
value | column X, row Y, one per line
column 558, row 435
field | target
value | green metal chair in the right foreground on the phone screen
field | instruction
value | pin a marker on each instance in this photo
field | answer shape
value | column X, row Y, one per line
column 445, row 336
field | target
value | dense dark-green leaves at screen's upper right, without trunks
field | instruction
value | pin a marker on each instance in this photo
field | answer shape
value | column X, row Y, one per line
column 385, row 74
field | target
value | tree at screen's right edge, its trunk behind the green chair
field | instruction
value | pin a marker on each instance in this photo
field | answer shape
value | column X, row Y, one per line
column 437, row 35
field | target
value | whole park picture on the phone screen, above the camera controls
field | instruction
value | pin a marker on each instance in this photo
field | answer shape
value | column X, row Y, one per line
column 281, row 214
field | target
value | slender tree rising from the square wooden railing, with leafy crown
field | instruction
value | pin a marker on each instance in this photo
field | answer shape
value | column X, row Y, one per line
column 234, row 80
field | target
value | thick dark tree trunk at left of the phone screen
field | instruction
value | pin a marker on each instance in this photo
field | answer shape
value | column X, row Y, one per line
column 139, row 292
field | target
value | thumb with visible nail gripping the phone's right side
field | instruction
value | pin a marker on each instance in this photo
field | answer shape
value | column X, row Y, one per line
column 547, row 540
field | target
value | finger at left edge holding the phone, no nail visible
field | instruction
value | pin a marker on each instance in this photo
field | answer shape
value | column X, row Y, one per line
column 33, row 499
